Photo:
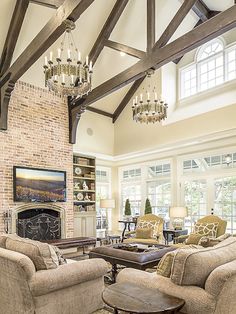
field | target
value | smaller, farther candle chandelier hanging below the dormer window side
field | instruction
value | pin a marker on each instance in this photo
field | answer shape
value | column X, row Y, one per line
column 148, row 108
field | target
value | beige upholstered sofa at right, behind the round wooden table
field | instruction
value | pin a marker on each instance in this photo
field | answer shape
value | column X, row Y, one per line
column 205, row 278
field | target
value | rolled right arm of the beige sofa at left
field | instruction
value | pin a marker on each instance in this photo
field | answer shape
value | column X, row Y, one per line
column 46, row 281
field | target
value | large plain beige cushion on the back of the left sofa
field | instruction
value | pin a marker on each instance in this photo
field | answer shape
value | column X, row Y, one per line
column 42, row 254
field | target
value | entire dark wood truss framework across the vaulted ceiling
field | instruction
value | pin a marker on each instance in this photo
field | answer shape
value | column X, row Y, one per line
column 210, row 25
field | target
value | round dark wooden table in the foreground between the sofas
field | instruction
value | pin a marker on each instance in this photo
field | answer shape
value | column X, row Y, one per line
column 131, row 298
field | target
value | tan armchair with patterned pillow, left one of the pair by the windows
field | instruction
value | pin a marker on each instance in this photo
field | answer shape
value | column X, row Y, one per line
column 149, row 230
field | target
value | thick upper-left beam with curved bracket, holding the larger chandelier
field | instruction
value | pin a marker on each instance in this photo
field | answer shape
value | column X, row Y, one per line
column 71, row 9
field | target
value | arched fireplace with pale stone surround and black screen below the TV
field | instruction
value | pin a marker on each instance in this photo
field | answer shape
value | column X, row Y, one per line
column 39, row 222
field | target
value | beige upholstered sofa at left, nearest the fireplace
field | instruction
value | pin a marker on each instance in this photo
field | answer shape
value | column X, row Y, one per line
column 73, row 288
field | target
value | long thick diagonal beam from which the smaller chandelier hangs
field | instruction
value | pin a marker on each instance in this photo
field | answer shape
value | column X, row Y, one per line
column 214, row 27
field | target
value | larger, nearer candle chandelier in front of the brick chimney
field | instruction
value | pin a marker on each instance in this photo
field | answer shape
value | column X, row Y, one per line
column 68, row 76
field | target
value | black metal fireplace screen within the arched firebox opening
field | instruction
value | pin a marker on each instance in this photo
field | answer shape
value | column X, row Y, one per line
column 39, row 224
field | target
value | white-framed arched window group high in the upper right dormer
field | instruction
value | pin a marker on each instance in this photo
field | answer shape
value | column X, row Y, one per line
column 214, row 64
